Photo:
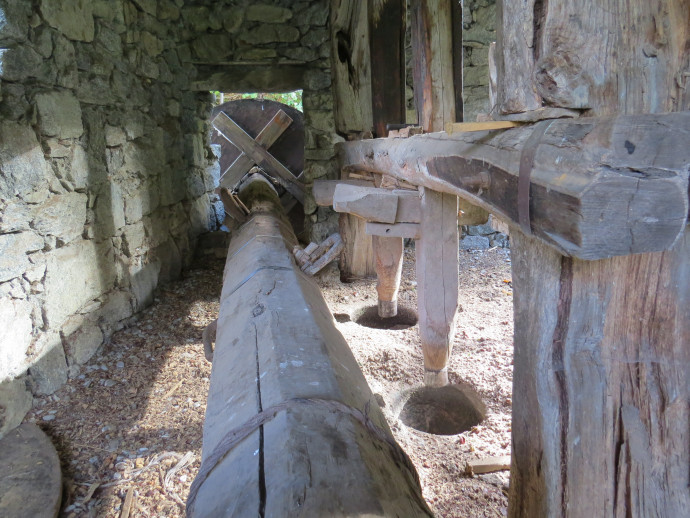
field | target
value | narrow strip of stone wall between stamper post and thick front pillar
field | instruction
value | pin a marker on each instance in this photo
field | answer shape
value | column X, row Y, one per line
column 479, row 30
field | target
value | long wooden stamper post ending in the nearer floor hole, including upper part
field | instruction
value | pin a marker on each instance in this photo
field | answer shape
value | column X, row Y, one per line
column 437, row 249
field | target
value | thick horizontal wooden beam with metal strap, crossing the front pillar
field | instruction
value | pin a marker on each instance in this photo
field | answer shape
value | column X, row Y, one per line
column 599, row 187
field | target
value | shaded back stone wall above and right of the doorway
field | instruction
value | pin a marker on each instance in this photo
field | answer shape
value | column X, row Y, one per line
column 280, row 45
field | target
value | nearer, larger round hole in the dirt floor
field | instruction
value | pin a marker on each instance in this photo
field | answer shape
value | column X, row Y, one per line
column 448, row 410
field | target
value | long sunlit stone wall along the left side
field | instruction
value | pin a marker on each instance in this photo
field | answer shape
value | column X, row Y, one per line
column 104, row 178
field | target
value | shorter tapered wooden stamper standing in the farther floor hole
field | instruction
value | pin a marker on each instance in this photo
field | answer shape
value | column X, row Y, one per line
column 388, row 252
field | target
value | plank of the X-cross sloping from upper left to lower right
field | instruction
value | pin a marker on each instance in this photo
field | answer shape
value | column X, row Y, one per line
column 227, row 127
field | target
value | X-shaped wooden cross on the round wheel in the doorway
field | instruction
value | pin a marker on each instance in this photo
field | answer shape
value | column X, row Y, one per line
column 255, row 152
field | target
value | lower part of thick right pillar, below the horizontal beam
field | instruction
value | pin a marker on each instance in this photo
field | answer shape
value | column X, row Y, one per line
column 601, row 375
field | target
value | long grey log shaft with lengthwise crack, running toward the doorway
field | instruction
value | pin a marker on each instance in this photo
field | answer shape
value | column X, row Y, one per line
column 313, row 441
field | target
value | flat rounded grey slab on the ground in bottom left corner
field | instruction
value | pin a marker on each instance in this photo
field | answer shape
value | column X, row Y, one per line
column 30, row 479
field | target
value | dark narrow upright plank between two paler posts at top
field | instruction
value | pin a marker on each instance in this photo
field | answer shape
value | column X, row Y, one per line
column 387, row 48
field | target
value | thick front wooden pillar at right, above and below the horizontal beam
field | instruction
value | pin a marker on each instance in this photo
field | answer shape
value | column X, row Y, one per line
column 601, row 406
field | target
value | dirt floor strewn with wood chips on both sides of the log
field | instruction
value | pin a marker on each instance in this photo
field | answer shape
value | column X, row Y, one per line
column 128, row 427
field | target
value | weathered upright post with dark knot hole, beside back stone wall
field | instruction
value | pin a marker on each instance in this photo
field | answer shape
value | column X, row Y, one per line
column 351, row 66
